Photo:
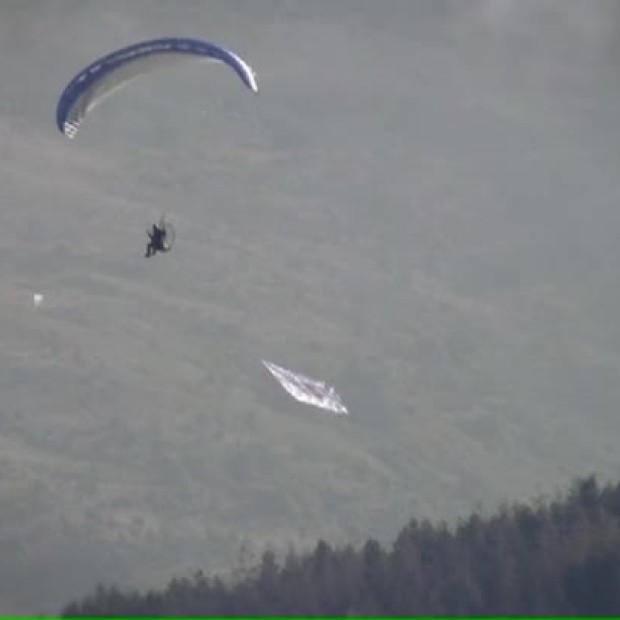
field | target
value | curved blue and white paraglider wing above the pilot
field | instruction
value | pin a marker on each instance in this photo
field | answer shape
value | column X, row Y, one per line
column 110, row 73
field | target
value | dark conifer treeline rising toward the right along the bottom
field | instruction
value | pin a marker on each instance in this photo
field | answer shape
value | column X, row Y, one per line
column 558, row 557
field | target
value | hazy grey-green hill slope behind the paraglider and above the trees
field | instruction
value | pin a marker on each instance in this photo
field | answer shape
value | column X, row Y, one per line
column 421, row 205
